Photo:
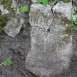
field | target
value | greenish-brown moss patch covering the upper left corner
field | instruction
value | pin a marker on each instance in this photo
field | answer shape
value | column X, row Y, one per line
column 7, row 4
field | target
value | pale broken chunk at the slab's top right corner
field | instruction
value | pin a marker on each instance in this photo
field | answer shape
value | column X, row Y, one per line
column 63, row 8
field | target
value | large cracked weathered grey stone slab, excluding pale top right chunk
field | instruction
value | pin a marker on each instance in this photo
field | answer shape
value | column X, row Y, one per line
column 51, row 45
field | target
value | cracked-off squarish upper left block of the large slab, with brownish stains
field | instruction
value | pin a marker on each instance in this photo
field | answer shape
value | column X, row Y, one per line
column 40, row 13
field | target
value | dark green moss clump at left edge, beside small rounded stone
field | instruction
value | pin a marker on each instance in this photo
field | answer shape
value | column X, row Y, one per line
column 3, row 20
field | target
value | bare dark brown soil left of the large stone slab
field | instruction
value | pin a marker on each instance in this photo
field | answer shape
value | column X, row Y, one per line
column 16, row 47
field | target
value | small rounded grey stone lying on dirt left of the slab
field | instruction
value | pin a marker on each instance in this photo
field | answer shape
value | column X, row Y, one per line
column 13, row 27
